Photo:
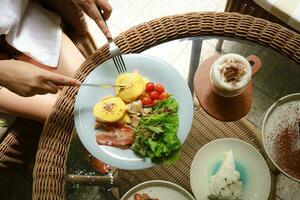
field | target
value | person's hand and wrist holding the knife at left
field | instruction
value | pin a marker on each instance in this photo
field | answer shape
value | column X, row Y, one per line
column 26, row 79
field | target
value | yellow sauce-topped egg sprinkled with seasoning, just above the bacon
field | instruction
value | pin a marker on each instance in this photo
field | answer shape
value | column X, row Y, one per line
column 109, row 109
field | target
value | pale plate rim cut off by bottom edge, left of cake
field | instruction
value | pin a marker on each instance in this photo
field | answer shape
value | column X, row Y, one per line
column 160, row 190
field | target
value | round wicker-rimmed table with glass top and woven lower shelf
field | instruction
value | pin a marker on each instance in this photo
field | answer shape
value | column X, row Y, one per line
column 63, row 167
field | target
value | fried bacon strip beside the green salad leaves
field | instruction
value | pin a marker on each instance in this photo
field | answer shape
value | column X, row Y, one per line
column 117, row 136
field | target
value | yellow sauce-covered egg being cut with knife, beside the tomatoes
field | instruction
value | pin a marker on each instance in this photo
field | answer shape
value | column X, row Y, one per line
column 134, row 86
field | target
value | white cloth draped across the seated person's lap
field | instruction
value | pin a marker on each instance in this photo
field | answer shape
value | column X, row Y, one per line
column 31, row 29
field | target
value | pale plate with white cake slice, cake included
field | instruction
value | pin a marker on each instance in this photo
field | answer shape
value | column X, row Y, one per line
column 229, row 168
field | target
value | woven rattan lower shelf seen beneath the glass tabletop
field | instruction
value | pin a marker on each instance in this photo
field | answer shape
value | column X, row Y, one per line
column 204, row 130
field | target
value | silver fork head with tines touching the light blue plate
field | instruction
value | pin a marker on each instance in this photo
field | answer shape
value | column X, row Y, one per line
column 117, row 57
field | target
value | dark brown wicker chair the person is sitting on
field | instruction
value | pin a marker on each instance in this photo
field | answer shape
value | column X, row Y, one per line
column 18, row 147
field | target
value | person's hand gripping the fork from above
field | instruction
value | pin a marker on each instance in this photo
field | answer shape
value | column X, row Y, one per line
column 99, row 11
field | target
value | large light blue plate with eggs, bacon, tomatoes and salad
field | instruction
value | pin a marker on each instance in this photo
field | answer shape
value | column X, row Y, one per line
column 149, row 85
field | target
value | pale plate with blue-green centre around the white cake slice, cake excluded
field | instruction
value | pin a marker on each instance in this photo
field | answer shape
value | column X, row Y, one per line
column 249, row 162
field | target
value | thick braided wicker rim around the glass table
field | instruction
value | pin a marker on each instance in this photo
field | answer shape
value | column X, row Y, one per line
column 54, row 143
